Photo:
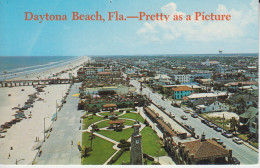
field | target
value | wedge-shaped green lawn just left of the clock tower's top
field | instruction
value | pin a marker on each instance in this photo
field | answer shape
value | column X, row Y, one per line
column 117, row 136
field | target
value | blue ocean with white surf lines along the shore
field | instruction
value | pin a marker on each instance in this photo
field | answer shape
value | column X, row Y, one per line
column 15, row 66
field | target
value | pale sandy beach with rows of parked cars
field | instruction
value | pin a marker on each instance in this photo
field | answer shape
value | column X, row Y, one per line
column 18, row 144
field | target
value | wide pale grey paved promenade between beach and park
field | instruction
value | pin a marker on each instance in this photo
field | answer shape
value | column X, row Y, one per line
column 58, row 148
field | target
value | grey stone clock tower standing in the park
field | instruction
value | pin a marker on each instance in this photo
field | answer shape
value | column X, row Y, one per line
column 136, row 146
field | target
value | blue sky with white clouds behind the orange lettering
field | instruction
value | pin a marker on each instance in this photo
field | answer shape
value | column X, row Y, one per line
column 20, row 37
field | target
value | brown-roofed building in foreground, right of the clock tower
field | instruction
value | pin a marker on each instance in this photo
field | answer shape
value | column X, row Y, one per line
column 198, row 152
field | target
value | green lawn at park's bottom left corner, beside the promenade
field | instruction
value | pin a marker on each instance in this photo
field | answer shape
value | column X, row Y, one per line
column 102, row 150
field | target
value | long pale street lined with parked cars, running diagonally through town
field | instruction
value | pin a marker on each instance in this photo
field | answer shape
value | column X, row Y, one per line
column 244, row 154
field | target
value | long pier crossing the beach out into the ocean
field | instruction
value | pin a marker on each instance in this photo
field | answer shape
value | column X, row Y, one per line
column 13, row 83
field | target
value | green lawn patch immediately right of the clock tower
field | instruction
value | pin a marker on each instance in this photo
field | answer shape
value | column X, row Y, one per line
column 151, row 143
